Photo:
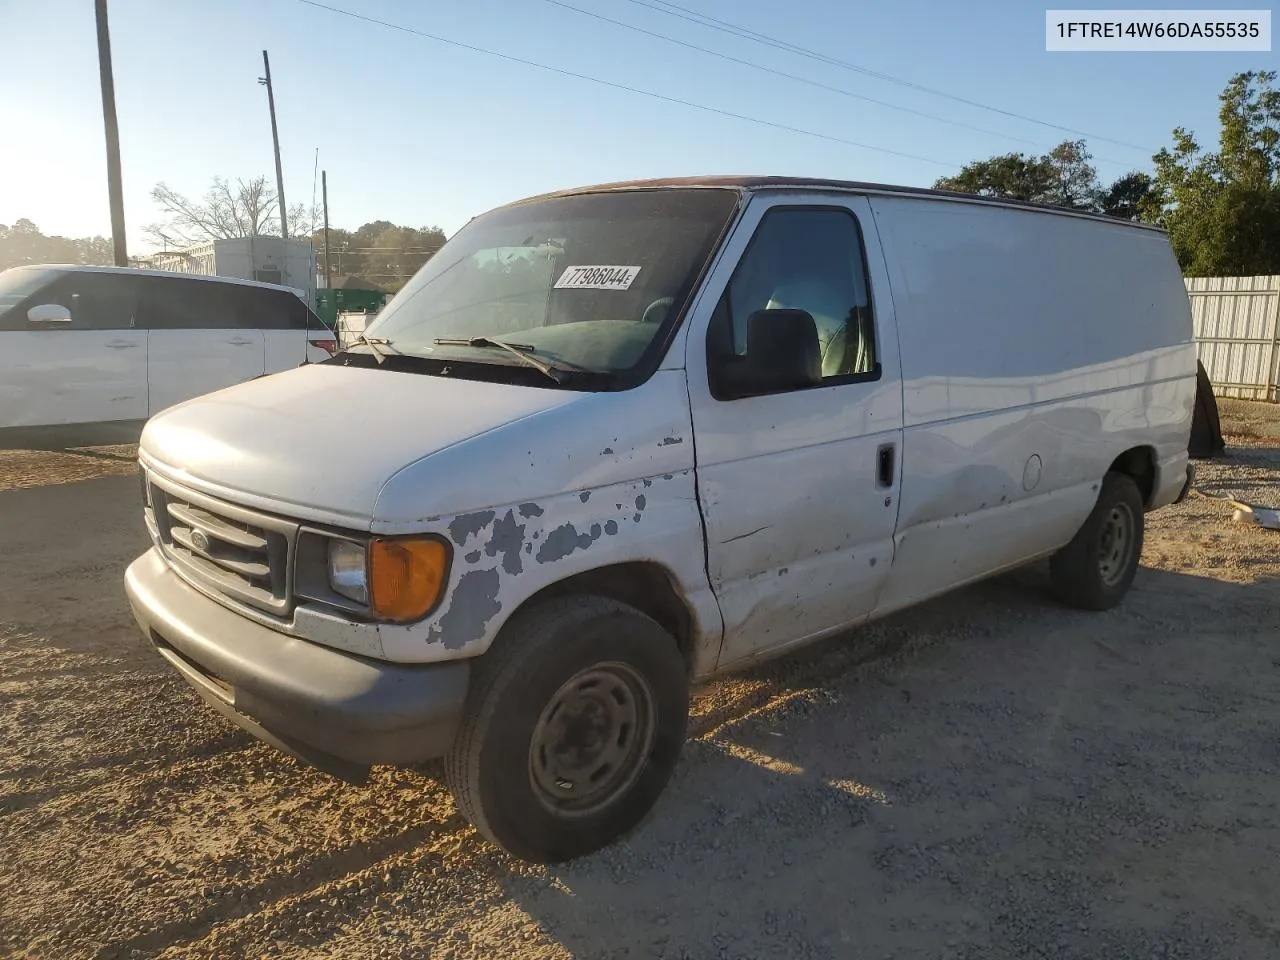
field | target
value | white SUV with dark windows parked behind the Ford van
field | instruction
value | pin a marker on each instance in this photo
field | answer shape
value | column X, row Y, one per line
column 88, row 354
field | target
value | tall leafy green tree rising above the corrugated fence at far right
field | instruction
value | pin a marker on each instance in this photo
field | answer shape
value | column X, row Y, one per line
column 1223, row 209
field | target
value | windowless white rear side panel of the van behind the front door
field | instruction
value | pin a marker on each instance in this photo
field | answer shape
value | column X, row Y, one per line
column 1036, row 349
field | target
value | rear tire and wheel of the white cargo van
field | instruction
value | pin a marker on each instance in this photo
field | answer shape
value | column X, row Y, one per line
column 1098, row 568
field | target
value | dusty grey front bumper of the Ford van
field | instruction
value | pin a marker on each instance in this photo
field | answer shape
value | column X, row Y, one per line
column 335, row 711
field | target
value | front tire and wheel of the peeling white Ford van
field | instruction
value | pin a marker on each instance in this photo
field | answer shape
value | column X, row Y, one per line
column 522, row 798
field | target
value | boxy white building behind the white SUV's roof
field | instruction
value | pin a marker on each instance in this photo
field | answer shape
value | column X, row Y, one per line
column 291, row 263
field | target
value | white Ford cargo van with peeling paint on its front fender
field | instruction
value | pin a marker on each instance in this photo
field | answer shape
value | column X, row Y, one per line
column 614, row 441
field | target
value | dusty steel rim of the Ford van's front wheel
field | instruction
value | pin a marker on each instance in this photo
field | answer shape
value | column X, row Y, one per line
column 592, row 740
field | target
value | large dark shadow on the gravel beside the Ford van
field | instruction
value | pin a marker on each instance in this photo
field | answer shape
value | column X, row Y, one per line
column 1011, row 769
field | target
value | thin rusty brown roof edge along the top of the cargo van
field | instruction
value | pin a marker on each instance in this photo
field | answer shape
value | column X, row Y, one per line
column 752, row 185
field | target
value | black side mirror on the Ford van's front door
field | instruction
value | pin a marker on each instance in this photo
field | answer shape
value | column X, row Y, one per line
column 783, row 354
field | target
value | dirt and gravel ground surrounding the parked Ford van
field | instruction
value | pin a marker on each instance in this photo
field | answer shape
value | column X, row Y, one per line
column 988, row 776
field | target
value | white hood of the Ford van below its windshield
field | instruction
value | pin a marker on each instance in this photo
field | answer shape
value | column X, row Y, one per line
column 319, row 442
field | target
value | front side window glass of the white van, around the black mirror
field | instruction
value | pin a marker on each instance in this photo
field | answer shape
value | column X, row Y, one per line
column 812, row 260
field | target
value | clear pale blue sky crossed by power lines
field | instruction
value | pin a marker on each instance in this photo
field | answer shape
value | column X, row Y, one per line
column 424, row 134
